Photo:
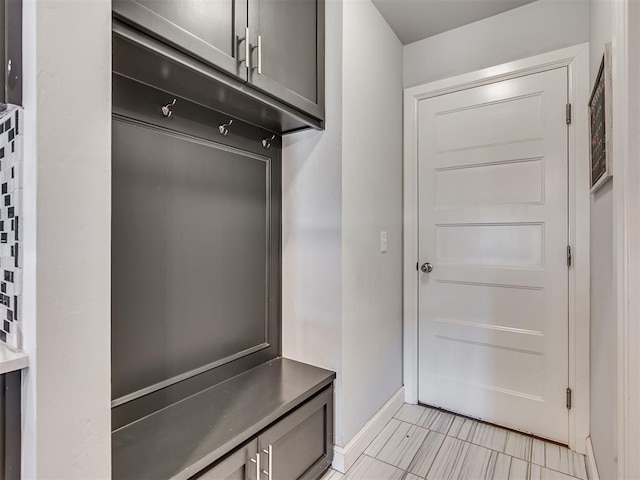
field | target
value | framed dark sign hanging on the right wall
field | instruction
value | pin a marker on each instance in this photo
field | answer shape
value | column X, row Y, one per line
column 600, row 124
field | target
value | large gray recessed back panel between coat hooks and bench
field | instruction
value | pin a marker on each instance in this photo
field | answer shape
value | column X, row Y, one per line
column 189, row 255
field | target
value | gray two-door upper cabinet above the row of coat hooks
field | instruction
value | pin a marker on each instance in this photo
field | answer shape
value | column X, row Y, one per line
column 273, row 46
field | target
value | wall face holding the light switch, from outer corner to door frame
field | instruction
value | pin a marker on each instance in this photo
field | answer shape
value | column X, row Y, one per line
column 371, row 203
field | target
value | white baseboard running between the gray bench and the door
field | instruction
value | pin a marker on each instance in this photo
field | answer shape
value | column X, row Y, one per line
column 345, row 457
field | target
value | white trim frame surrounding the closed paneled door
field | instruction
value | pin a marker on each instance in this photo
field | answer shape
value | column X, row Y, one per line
column 576, row 59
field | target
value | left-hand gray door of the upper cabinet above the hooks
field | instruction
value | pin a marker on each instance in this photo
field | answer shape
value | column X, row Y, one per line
column 210, row 30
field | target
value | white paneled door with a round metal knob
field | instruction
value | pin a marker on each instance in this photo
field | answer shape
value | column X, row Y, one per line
column 493, row 203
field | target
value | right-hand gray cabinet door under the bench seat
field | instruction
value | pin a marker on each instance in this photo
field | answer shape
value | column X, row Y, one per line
column 300, row 446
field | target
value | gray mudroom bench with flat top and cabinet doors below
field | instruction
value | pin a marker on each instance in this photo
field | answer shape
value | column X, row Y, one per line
column 272, row 422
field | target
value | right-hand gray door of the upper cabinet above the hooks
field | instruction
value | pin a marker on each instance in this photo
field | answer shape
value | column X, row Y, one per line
column 287, row 39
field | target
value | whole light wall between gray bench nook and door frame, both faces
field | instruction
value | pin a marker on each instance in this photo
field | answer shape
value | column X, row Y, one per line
column 341, row 187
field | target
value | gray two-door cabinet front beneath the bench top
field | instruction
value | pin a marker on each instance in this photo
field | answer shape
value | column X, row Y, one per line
column 297, row 447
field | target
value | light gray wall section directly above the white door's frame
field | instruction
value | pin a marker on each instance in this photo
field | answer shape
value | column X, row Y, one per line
column 534, row 28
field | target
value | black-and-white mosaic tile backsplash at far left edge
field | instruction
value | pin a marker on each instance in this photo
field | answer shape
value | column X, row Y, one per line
column 11, row 163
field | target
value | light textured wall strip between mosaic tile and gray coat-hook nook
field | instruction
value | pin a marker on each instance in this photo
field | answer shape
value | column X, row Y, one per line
column 67, row 99
